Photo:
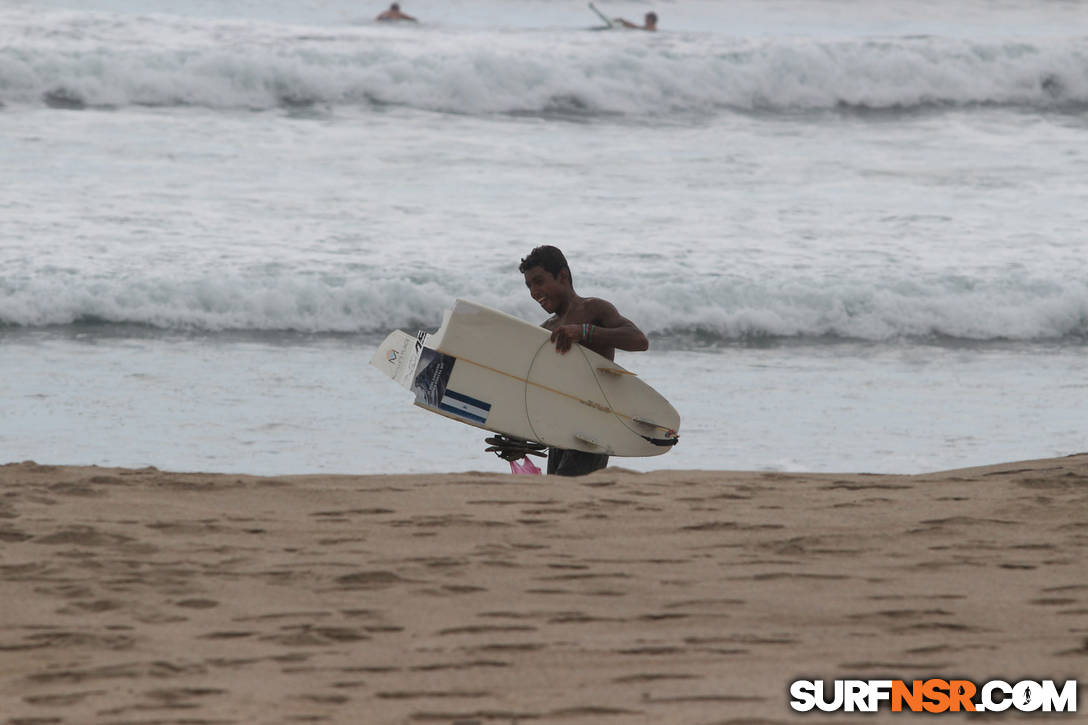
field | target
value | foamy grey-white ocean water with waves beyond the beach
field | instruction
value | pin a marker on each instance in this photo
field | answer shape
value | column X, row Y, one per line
column 855, row 232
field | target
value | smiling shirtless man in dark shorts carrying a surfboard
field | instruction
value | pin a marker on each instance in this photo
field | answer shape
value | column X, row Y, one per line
column 591, row 322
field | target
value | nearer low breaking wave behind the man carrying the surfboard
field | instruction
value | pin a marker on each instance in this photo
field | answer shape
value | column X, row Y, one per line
column 689, row 314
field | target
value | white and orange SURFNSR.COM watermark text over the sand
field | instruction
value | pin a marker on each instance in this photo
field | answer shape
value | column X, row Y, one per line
column 933, row 696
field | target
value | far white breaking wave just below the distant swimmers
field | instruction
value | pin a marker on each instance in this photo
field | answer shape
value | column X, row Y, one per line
column 85, row 60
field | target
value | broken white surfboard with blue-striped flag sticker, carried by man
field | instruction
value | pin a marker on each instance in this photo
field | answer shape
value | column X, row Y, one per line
column 492, row 371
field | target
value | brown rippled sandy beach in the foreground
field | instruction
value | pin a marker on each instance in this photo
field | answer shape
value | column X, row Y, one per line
column 672, row 597
